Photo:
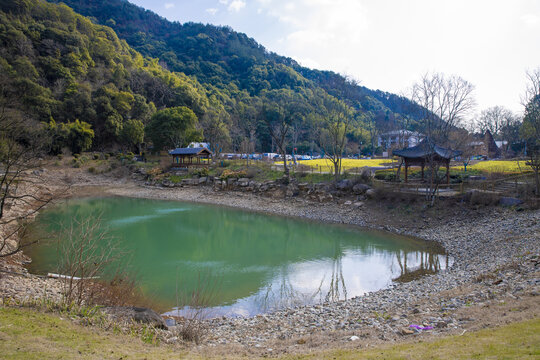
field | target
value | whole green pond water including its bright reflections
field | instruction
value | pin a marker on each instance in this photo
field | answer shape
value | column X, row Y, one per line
column 255, row 263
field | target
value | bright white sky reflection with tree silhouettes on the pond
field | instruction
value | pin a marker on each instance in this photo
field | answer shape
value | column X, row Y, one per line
column 329, row 280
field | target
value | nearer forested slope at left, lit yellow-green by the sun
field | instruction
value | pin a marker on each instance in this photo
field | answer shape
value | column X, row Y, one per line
column 59, row 68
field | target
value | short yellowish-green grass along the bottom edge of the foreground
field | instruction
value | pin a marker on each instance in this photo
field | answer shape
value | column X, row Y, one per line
column 27, row 334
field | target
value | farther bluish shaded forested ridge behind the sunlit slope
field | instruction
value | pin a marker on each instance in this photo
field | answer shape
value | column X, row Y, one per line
column 239, row 70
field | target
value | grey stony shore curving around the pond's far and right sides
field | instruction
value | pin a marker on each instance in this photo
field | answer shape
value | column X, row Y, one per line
column 496, row 263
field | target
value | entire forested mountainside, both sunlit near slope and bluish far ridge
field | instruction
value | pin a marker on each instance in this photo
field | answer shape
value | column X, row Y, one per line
column 169, row 83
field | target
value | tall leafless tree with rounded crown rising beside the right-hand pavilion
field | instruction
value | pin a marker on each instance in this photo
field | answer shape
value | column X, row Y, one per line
column 445, row 102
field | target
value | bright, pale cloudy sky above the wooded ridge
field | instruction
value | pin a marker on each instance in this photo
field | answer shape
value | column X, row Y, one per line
column 389, row 44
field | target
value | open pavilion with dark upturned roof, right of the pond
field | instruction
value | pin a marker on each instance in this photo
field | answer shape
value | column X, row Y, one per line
column 425, row 153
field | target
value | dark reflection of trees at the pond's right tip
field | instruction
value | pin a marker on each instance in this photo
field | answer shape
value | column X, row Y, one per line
column 430, row 263
